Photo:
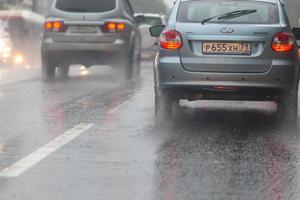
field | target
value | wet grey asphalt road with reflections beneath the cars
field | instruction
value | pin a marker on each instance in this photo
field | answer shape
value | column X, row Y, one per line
column 211, row 150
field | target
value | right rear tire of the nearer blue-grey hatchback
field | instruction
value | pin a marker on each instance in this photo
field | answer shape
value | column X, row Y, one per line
column 287, row 109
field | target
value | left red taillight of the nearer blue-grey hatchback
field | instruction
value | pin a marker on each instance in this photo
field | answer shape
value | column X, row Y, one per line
column 171, row 40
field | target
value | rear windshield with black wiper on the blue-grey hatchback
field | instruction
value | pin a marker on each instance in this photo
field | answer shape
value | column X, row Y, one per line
column 198, row 11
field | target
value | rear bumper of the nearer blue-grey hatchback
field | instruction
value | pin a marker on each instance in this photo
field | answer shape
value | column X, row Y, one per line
column 169, row 74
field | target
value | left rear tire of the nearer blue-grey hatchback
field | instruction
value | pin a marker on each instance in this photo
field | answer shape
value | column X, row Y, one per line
column 163, row 106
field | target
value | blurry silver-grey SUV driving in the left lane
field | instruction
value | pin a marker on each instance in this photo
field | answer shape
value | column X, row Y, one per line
column 91, row 32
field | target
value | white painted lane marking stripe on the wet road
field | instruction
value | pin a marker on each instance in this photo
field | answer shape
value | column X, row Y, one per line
column 34, row 158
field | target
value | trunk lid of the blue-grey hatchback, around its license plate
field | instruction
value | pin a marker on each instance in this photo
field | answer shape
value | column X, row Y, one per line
column 195, row 35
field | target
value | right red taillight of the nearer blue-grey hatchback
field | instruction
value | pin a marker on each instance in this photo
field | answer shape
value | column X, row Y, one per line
column 283, row 42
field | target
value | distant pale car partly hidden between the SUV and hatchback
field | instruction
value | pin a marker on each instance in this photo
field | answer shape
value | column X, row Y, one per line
column 145, row 21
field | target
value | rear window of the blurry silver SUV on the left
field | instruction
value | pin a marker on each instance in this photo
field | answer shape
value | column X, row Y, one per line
column 86, row 5
